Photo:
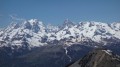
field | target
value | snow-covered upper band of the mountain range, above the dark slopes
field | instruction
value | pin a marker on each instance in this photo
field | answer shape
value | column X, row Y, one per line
column 35, row 33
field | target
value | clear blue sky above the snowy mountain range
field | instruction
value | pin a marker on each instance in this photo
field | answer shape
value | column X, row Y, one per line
column 56, row 11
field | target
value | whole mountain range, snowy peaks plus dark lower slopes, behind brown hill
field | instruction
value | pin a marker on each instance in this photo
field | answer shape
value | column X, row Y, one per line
column 32, row 44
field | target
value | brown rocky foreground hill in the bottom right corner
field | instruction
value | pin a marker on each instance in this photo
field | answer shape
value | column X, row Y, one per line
column 98, row 58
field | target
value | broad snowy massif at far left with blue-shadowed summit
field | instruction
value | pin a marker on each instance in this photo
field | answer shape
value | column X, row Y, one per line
column 29, row 31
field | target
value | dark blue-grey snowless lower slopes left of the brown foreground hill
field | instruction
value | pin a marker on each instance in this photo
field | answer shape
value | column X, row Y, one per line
column 45, row 56
